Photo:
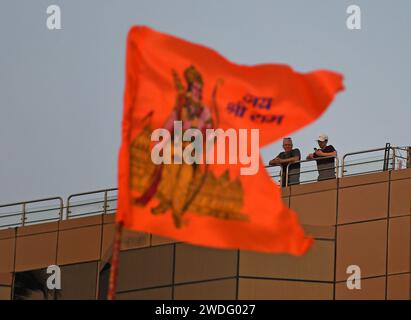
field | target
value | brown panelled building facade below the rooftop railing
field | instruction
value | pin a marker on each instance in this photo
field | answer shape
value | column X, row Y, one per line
column 359, row 221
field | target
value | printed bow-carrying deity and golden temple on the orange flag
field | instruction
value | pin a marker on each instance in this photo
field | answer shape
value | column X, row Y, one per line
column 182, row 187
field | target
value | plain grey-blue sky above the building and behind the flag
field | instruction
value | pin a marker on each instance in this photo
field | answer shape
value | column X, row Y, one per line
column 61, row 91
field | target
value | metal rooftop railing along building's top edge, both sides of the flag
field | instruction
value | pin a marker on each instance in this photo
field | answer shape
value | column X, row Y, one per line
column 105, row 201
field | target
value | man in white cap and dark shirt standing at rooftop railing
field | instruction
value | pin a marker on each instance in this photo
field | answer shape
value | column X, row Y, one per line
column 326, row 167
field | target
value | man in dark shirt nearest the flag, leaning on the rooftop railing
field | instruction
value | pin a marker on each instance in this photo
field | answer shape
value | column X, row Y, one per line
column 289, row 155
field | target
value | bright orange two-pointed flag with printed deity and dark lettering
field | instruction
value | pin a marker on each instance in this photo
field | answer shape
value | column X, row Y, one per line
column 188, row 91
